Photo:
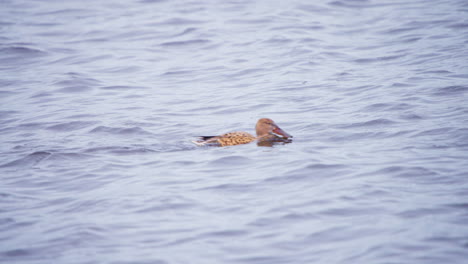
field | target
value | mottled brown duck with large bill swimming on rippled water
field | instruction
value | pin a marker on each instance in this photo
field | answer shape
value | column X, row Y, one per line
column 266, row 129
